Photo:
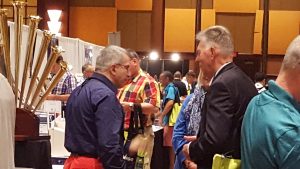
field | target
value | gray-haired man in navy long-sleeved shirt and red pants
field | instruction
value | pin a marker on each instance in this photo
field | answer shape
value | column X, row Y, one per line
column 94, row 116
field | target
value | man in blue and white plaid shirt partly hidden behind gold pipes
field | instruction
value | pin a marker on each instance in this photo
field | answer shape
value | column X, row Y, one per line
column 64, row 87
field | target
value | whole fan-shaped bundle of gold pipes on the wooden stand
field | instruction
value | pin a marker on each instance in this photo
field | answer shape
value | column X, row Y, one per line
column 32, row 98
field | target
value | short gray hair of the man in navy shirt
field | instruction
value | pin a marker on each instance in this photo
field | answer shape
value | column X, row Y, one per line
column 109, row 56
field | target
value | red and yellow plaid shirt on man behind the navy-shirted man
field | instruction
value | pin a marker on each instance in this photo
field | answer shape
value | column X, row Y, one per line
column 143, row 89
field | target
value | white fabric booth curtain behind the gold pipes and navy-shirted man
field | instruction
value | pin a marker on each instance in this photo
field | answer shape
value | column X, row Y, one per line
column 74, row 50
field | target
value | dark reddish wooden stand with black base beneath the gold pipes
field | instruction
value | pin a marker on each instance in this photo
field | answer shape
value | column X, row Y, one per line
column 31, row 149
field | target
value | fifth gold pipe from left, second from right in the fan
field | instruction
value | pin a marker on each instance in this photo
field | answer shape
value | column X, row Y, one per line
column 55, row 52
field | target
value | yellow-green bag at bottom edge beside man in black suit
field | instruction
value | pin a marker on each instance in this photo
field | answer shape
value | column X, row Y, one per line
column 222, row 162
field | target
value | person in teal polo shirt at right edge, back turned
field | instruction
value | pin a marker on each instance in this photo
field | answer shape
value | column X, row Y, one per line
column 270, row 134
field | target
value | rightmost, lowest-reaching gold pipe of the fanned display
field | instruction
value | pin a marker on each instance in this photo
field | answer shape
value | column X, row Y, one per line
column 56, row 79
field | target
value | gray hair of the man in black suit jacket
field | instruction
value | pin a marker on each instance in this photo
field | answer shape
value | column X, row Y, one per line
column 217, row 36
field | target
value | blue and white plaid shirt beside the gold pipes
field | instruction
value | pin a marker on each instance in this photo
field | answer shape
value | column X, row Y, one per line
column 66, row 85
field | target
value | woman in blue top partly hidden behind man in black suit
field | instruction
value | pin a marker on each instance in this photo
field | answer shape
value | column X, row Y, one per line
column 187, row 124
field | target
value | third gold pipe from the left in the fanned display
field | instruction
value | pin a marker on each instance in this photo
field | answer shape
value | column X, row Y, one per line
column 34, row 21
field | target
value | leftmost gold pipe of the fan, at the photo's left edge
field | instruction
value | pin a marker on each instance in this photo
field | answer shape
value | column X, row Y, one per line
column 5, row 38
